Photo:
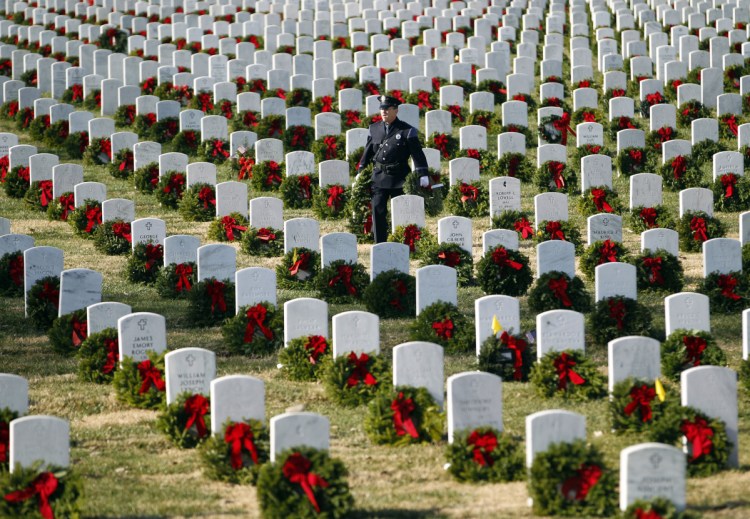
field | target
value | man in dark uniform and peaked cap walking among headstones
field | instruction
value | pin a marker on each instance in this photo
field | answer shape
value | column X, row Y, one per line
column 389, row 146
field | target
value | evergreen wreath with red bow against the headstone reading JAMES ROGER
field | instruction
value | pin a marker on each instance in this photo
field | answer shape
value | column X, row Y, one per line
column 141, row 384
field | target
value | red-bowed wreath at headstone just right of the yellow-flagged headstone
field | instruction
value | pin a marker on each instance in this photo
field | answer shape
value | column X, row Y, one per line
column 568, row 374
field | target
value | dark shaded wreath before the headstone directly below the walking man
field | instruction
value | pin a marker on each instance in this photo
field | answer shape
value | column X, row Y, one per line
column 391, row 294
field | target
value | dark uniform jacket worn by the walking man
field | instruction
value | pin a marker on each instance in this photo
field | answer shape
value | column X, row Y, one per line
column 390, row 154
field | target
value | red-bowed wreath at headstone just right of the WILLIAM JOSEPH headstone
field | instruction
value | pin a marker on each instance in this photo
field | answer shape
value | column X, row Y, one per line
column 236, row 454
